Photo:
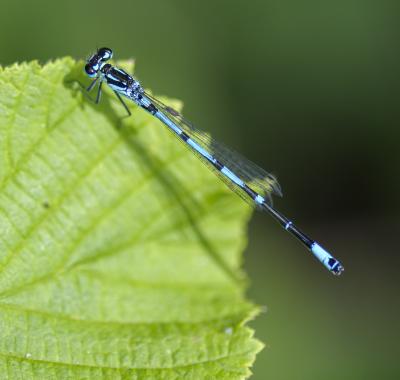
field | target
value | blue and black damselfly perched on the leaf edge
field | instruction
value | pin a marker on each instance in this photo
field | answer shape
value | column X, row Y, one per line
column 247, row 179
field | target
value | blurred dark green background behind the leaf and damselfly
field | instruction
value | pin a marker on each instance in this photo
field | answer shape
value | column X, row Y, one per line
column 309, row 89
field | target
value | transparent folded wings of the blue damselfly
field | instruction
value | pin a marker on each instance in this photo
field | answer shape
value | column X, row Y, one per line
column 254, row 176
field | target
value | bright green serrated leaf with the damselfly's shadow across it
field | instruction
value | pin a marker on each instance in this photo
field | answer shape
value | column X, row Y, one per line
column 120, row 252
